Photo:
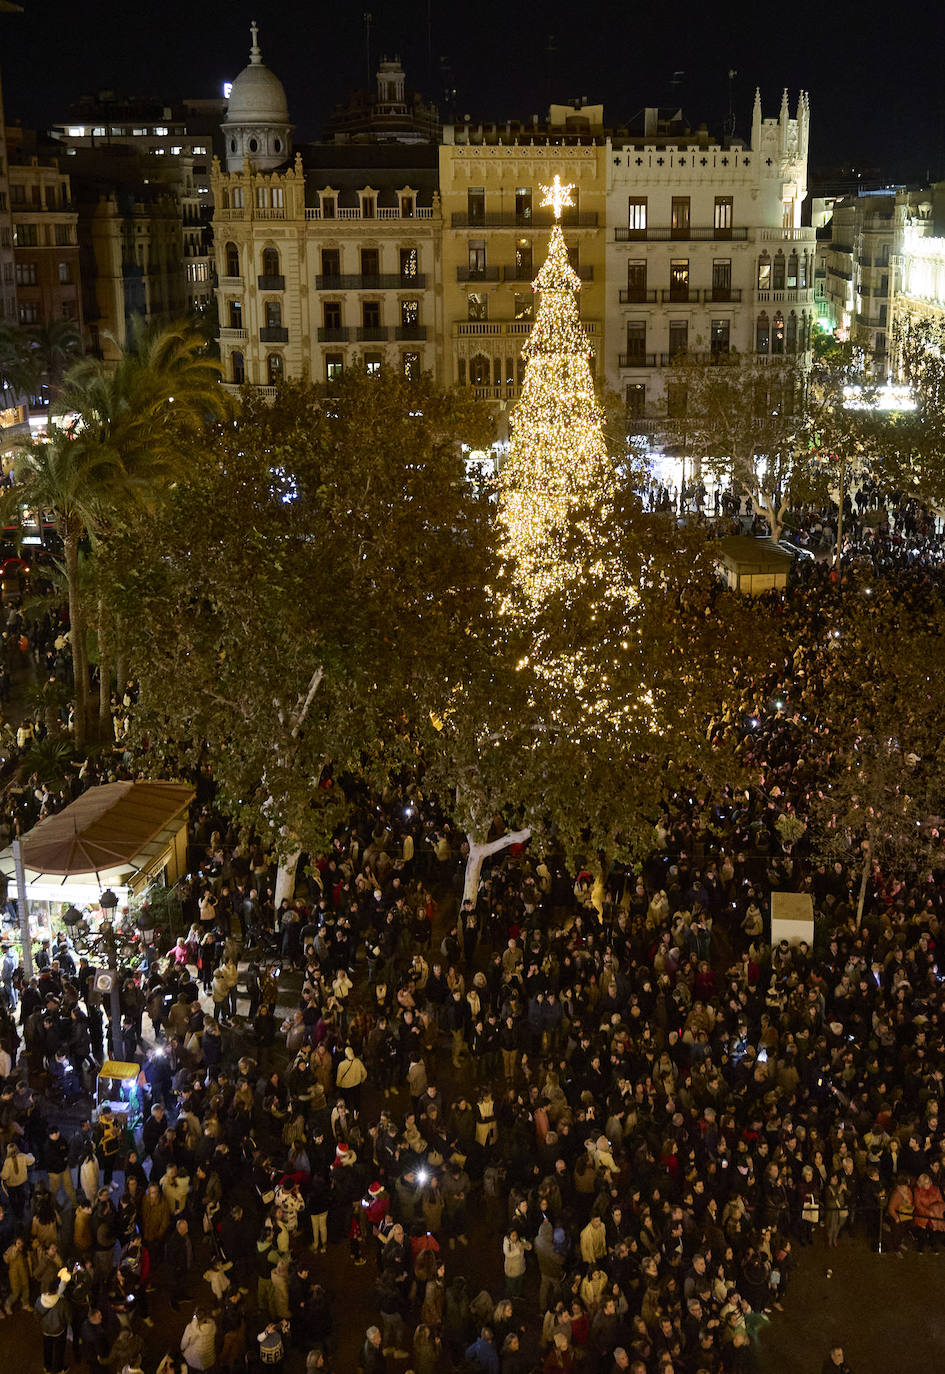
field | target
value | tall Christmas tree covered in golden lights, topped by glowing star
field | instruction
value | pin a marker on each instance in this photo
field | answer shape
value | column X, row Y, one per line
column 558, row 469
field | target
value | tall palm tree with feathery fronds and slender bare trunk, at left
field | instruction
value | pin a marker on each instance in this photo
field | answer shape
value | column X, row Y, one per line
column 123, row 451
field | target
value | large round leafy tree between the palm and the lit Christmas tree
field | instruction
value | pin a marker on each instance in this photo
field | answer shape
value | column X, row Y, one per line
column 319, row 565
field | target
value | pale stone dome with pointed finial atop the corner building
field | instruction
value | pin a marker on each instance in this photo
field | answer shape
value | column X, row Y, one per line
column 256, row 128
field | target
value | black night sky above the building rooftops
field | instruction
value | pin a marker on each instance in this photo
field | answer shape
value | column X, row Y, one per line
column 874, row 76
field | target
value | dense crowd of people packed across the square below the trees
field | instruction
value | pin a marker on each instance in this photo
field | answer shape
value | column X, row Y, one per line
column 584, row 1125
